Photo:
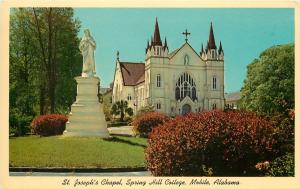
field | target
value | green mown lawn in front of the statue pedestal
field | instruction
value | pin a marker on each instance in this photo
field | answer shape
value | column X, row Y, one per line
column 60, row 151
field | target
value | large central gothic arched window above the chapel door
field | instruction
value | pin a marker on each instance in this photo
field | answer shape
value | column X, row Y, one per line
column 185, row 86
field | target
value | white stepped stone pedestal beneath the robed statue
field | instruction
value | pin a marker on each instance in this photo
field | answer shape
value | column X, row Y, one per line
column 87, row 117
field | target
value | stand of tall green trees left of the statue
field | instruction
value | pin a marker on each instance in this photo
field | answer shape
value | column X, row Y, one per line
column 44, row 59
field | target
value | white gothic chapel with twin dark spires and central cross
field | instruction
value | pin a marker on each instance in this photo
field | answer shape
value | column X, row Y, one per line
column 174, row 82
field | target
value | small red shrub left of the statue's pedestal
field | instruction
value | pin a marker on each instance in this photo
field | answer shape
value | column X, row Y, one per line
column 48, row 125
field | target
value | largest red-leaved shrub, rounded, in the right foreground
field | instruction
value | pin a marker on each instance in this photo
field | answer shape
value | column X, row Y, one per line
column 231, row 143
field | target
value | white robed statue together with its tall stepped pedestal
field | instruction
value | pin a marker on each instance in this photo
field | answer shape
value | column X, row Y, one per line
column 86, row 117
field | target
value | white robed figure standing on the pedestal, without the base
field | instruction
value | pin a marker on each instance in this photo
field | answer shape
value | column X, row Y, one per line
column 87, row 47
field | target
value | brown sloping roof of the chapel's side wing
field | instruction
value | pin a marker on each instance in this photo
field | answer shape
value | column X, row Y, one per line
column 132, row 73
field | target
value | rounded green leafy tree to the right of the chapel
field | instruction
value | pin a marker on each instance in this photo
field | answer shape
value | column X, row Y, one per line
column 269, row 86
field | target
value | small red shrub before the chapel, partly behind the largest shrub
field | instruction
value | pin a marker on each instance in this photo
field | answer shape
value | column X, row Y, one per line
column 144, row 123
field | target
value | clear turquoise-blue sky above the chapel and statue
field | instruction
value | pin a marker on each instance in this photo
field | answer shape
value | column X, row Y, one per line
column 244, row 33
